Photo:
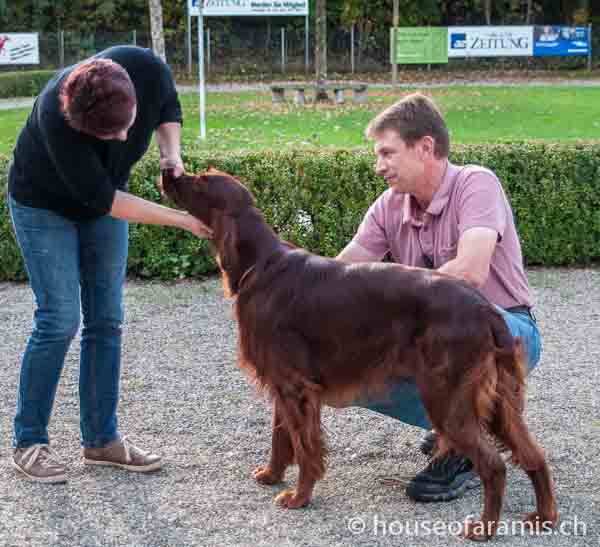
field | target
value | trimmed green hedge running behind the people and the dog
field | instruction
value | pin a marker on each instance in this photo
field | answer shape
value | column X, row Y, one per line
column 317, row 199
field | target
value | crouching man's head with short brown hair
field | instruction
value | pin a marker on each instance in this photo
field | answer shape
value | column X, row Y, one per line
column 411, row 138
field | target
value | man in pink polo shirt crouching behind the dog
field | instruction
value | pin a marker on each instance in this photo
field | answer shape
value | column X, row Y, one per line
column 453, row 218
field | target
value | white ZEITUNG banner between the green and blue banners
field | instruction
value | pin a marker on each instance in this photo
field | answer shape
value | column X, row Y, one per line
column 490, row 41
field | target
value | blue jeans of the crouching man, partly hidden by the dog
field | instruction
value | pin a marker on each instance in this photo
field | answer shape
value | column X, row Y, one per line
column 403, row 401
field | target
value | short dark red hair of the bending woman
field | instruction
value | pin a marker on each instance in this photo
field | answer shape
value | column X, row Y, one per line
column 98, row 97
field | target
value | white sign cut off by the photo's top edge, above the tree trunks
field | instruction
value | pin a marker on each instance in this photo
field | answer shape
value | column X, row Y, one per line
column 248, row 7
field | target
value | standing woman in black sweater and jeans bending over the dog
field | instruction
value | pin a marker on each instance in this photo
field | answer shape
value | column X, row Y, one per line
column 69, row 206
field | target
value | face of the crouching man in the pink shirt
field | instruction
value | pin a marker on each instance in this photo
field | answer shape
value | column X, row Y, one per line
column 402, row 167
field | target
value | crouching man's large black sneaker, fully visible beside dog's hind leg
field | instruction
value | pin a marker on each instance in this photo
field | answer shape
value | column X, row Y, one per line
column 443, row 479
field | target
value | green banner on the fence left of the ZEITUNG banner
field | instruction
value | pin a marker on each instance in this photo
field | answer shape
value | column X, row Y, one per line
column 420, row 45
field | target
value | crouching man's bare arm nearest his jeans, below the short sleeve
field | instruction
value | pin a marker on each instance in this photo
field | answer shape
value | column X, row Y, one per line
column 474, row 255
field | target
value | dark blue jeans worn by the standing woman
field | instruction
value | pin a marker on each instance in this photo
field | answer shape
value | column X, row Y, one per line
column 73, row 267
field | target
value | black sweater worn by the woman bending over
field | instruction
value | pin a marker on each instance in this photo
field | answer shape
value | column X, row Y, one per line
column 76, row 175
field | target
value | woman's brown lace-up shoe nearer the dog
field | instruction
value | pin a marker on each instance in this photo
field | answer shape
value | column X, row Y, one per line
column 124, row 454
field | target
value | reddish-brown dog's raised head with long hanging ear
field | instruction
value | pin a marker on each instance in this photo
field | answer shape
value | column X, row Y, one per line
column 219, row 201
